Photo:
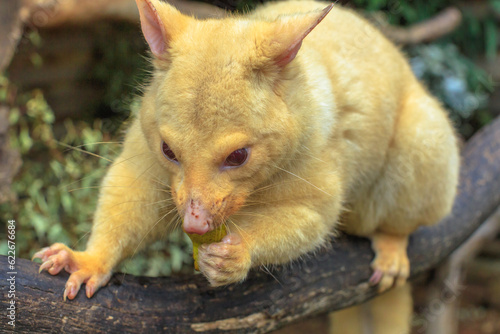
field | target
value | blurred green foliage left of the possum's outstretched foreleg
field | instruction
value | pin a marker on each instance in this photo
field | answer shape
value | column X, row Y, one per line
column 46, row 209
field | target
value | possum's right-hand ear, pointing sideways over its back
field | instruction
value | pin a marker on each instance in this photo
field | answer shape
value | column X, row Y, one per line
column 284, row 37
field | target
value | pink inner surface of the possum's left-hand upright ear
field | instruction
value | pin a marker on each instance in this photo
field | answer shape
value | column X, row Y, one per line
column 152, row 28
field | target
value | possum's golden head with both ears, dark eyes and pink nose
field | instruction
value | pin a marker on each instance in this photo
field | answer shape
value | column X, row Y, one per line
column 215, row 113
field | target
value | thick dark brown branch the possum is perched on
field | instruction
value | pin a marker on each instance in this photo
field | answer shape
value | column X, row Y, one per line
column 330, row 280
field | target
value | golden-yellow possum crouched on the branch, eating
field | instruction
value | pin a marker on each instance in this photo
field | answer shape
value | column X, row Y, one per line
column 284, row 125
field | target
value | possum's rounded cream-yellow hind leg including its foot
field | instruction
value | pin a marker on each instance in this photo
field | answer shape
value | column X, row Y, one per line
column 416, row 187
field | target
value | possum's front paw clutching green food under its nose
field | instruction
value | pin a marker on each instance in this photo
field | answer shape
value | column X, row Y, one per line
column 224, row 262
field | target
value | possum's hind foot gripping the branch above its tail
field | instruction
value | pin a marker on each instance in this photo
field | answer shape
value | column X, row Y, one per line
column 391, row 265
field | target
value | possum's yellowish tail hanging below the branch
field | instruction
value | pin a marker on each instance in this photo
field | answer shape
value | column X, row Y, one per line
column 389, row 313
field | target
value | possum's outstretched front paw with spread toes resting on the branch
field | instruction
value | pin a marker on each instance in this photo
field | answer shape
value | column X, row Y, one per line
column 83, row 267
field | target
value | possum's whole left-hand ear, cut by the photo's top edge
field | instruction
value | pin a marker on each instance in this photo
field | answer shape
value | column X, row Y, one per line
column 160, row 23
